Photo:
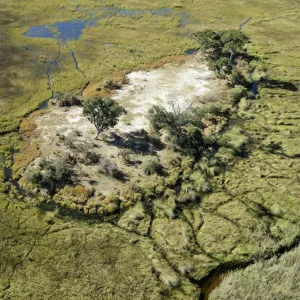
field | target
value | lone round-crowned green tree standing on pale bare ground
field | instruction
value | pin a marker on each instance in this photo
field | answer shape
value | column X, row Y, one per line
column 104, row 113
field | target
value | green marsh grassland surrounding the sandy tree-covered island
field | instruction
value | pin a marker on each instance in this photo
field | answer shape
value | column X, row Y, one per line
column 253, row 210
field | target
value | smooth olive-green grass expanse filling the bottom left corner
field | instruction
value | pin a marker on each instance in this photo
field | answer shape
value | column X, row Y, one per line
column 43, row 256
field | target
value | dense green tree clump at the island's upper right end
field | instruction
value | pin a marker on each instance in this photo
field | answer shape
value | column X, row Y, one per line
column 226, row 54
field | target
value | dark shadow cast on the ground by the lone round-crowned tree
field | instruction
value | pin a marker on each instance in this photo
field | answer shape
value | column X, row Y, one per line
column 139, row 142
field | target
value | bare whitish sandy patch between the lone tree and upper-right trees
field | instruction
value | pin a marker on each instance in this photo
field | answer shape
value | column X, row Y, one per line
column 181, row 84
